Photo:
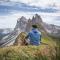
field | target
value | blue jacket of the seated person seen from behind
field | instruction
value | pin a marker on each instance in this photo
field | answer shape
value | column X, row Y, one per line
column 35, row 37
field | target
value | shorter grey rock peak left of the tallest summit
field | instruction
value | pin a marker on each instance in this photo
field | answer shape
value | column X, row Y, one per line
column 21, row 24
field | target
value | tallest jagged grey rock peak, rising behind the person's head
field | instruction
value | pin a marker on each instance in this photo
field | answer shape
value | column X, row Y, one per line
column 35, row 20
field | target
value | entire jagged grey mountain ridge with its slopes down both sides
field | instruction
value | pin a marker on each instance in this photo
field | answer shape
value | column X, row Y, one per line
column 25, row 25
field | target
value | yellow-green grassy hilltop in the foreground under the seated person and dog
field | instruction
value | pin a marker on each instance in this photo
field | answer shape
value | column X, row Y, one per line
column 42, row 52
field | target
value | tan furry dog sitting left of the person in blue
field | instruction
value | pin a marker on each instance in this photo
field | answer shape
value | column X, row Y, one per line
column 20, row 40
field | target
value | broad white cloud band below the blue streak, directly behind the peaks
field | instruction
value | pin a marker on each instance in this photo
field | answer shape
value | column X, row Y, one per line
column 9, row 21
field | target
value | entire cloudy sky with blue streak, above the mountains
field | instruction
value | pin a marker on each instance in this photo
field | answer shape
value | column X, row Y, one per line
column 49, row 10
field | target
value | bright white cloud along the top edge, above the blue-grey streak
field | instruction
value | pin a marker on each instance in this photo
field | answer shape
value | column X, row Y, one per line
column 39, row 2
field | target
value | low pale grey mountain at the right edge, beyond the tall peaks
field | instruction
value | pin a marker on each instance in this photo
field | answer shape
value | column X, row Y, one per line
column 53, row 30
